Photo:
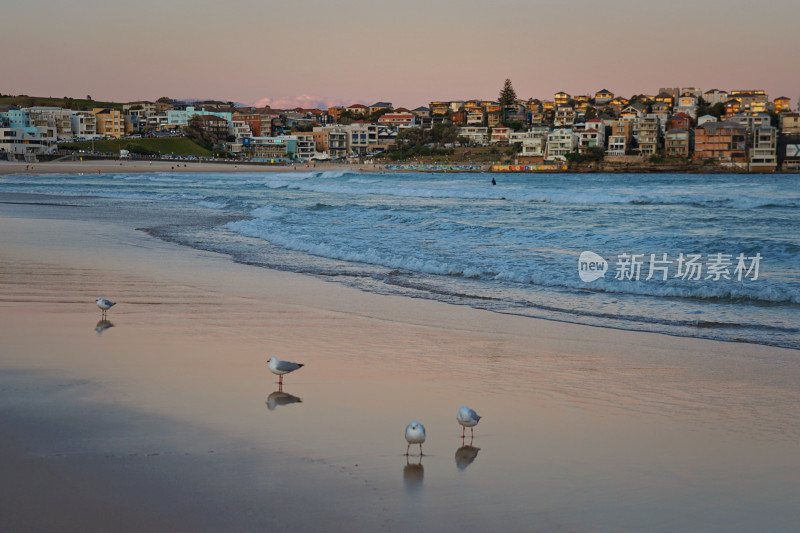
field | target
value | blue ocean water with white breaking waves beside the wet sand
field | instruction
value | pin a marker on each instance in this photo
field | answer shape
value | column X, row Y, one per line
column 712, row 256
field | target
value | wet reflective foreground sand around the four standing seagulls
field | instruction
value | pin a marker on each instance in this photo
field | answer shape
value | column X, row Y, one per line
column 170, row 421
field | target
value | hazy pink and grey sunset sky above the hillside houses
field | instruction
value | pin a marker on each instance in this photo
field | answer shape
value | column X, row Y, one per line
column 316, row 53
